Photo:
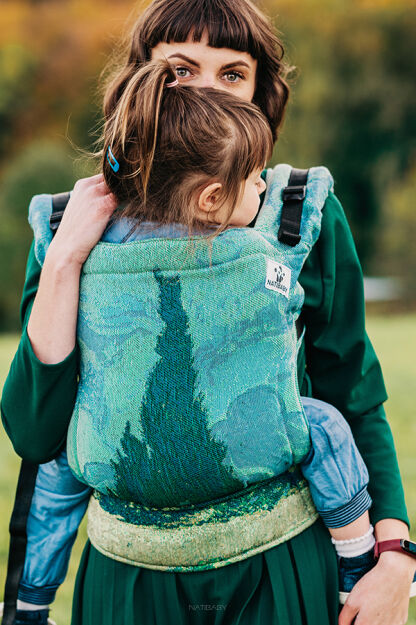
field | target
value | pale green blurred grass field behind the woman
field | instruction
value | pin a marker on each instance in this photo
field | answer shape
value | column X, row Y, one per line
column 394, row 339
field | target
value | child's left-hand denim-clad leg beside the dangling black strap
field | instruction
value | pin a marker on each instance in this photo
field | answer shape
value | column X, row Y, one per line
column 58, row 505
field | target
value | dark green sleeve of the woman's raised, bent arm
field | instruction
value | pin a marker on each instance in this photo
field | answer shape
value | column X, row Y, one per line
column 38, row 398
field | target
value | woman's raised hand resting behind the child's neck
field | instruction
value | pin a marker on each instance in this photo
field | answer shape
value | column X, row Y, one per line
column 84, row 220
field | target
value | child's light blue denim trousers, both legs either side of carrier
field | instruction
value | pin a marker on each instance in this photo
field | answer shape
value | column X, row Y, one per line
column 335, row 471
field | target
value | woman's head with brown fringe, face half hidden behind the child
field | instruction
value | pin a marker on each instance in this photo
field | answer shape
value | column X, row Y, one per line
column 209, row 33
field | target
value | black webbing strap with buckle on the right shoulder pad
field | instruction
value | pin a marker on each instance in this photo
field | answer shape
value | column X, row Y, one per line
column 293, row 196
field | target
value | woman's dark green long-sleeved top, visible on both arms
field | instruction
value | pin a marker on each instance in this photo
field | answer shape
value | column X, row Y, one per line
column 336, row 364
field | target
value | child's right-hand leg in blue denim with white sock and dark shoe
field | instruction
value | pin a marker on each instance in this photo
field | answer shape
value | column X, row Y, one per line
column 338, row 480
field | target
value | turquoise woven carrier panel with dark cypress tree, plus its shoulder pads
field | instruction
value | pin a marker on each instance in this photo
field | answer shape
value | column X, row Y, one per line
column 188, row 389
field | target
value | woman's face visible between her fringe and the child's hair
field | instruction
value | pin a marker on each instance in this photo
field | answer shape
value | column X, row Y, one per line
column 196, row 64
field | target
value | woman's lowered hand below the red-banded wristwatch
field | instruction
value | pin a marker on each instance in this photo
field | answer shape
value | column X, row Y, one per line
column 381, row 597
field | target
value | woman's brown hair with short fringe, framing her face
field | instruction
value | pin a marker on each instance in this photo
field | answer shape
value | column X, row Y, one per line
column 235, row 24
